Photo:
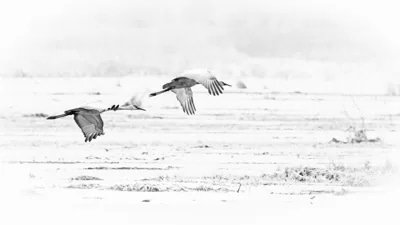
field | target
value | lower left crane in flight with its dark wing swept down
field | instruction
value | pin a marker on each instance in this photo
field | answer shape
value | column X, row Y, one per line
column 89, row 120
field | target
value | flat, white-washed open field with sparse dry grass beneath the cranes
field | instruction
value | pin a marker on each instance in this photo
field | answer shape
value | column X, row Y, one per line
column 246, row 156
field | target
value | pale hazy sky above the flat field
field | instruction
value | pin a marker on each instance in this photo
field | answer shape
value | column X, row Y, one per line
column 44, row 37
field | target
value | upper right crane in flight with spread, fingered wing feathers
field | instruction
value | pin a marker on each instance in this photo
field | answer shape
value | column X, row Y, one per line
column 181, row 86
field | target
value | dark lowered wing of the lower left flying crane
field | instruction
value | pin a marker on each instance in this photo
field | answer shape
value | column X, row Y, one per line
column 91, row 125
